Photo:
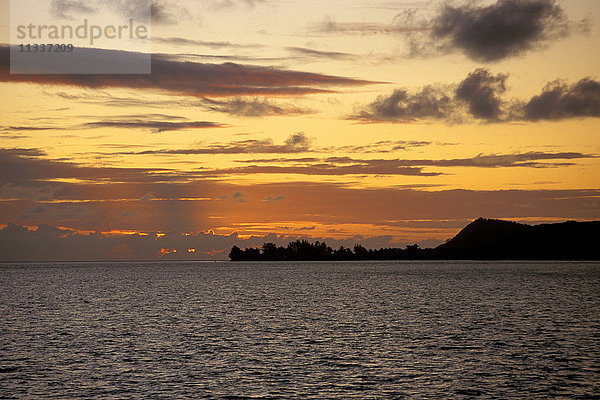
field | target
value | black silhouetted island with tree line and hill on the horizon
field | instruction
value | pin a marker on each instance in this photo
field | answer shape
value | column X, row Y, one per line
column 482, row 239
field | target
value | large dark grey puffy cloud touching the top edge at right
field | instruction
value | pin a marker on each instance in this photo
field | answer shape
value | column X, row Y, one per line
column 504, row 29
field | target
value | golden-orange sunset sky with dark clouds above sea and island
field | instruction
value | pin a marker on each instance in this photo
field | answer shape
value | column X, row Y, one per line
column 383, row 123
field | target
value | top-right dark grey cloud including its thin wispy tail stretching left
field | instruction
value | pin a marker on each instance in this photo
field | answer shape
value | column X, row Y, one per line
column 484, row 33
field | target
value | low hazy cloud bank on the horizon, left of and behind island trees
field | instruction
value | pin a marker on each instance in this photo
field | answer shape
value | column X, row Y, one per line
column 46, row 242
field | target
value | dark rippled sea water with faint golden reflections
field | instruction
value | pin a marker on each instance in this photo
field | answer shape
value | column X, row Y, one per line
column 300, row 330
